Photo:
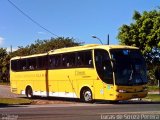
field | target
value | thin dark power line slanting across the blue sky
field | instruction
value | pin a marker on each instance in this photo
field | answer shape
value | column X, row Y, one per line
column 35, row 22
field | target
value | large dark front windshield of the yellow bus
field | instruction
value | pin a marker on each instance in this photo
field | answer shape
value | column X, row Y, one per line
column 129, row 67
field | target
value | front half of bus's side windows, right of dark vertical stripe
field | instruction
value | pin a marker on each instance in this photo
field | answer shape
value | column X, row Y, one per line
column 71, row 60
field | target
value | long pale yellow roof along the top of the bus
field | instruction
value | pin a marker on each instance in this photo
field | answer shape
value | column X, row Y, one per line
column 78, row 48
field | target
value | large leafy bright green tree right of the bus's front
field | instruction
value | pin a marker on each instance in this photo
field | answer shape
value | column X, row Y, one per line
column 144, row 33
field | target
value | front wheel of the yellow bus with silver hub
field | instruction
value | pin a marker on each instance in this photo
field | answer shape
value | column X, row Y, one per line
column 87, row 95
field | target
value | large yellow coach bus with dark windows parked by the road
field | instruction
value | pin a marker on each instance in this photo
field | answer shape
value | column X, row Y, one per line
column 89, row 72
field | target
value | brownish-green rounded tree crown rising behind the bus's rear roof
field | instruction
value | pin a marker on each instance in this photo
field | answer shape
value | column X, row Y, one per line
column 42, row 46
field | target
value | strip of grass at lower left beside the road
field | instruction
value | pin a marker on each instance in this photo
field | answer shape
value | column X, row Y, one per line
column 14, row 101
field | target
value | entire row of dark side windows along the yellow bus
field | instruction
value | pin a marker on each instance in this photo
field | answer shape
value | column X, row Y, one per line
column 59, row 61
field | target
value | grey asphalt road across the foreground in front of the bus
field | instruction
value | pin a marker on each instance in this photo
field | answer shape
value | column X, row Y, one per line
column 82, row 111
